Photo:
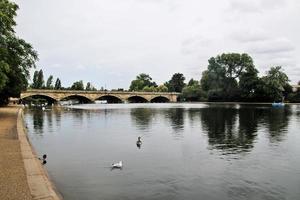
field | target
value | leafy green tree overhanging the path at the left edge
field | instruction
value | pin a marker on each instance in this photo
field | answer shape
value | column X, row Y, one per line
column 16, row 56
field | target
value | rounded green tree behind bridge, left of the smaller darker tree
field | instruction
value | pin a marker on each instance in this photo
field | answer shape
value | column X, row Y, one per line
column 141, row 81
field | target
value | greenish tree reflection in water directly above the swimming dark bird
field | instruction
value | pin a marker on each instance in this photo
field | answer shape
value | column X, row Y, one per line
column 142, row 117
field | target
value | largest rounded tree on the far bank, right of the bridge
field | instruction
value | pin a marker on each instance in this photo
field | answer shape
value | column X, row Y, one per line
column 221, row 79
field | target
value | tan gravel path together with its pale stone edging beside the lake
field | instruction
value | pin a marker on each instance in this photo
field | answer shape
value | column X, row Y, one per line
column 29, row 179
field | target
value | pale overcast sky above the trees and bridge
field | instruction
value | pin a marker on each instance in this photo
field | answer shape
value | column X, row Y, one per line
column 110, row 42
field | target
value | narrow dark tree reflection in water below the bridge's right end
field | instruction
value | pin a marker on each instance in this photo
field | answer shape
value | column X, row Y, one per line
column 176, row 118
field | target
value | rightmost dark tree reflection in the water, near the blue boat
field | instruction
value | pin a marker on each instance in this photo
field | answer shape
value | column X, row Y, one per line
column 277, row 120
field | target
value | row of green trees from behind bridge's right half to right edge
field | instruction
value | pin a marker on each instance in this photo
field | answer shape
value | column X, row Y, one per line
column 228, row 77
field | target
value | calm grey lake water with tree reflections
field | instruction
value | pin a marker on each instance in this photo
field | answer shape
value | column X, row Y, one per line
column 189, row 151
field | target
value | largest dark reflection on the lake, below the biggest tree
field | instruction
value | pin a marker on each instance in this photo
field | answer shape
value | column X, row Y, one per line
column 223, row 130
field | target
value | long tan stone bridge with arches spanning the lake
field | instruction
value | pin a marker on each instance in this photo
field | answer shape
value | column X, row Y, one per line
column 110, row 96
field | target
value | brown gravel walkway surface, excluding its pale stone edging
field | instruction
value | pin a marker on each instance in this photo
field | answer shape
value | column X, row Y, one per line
column 13, row 181
